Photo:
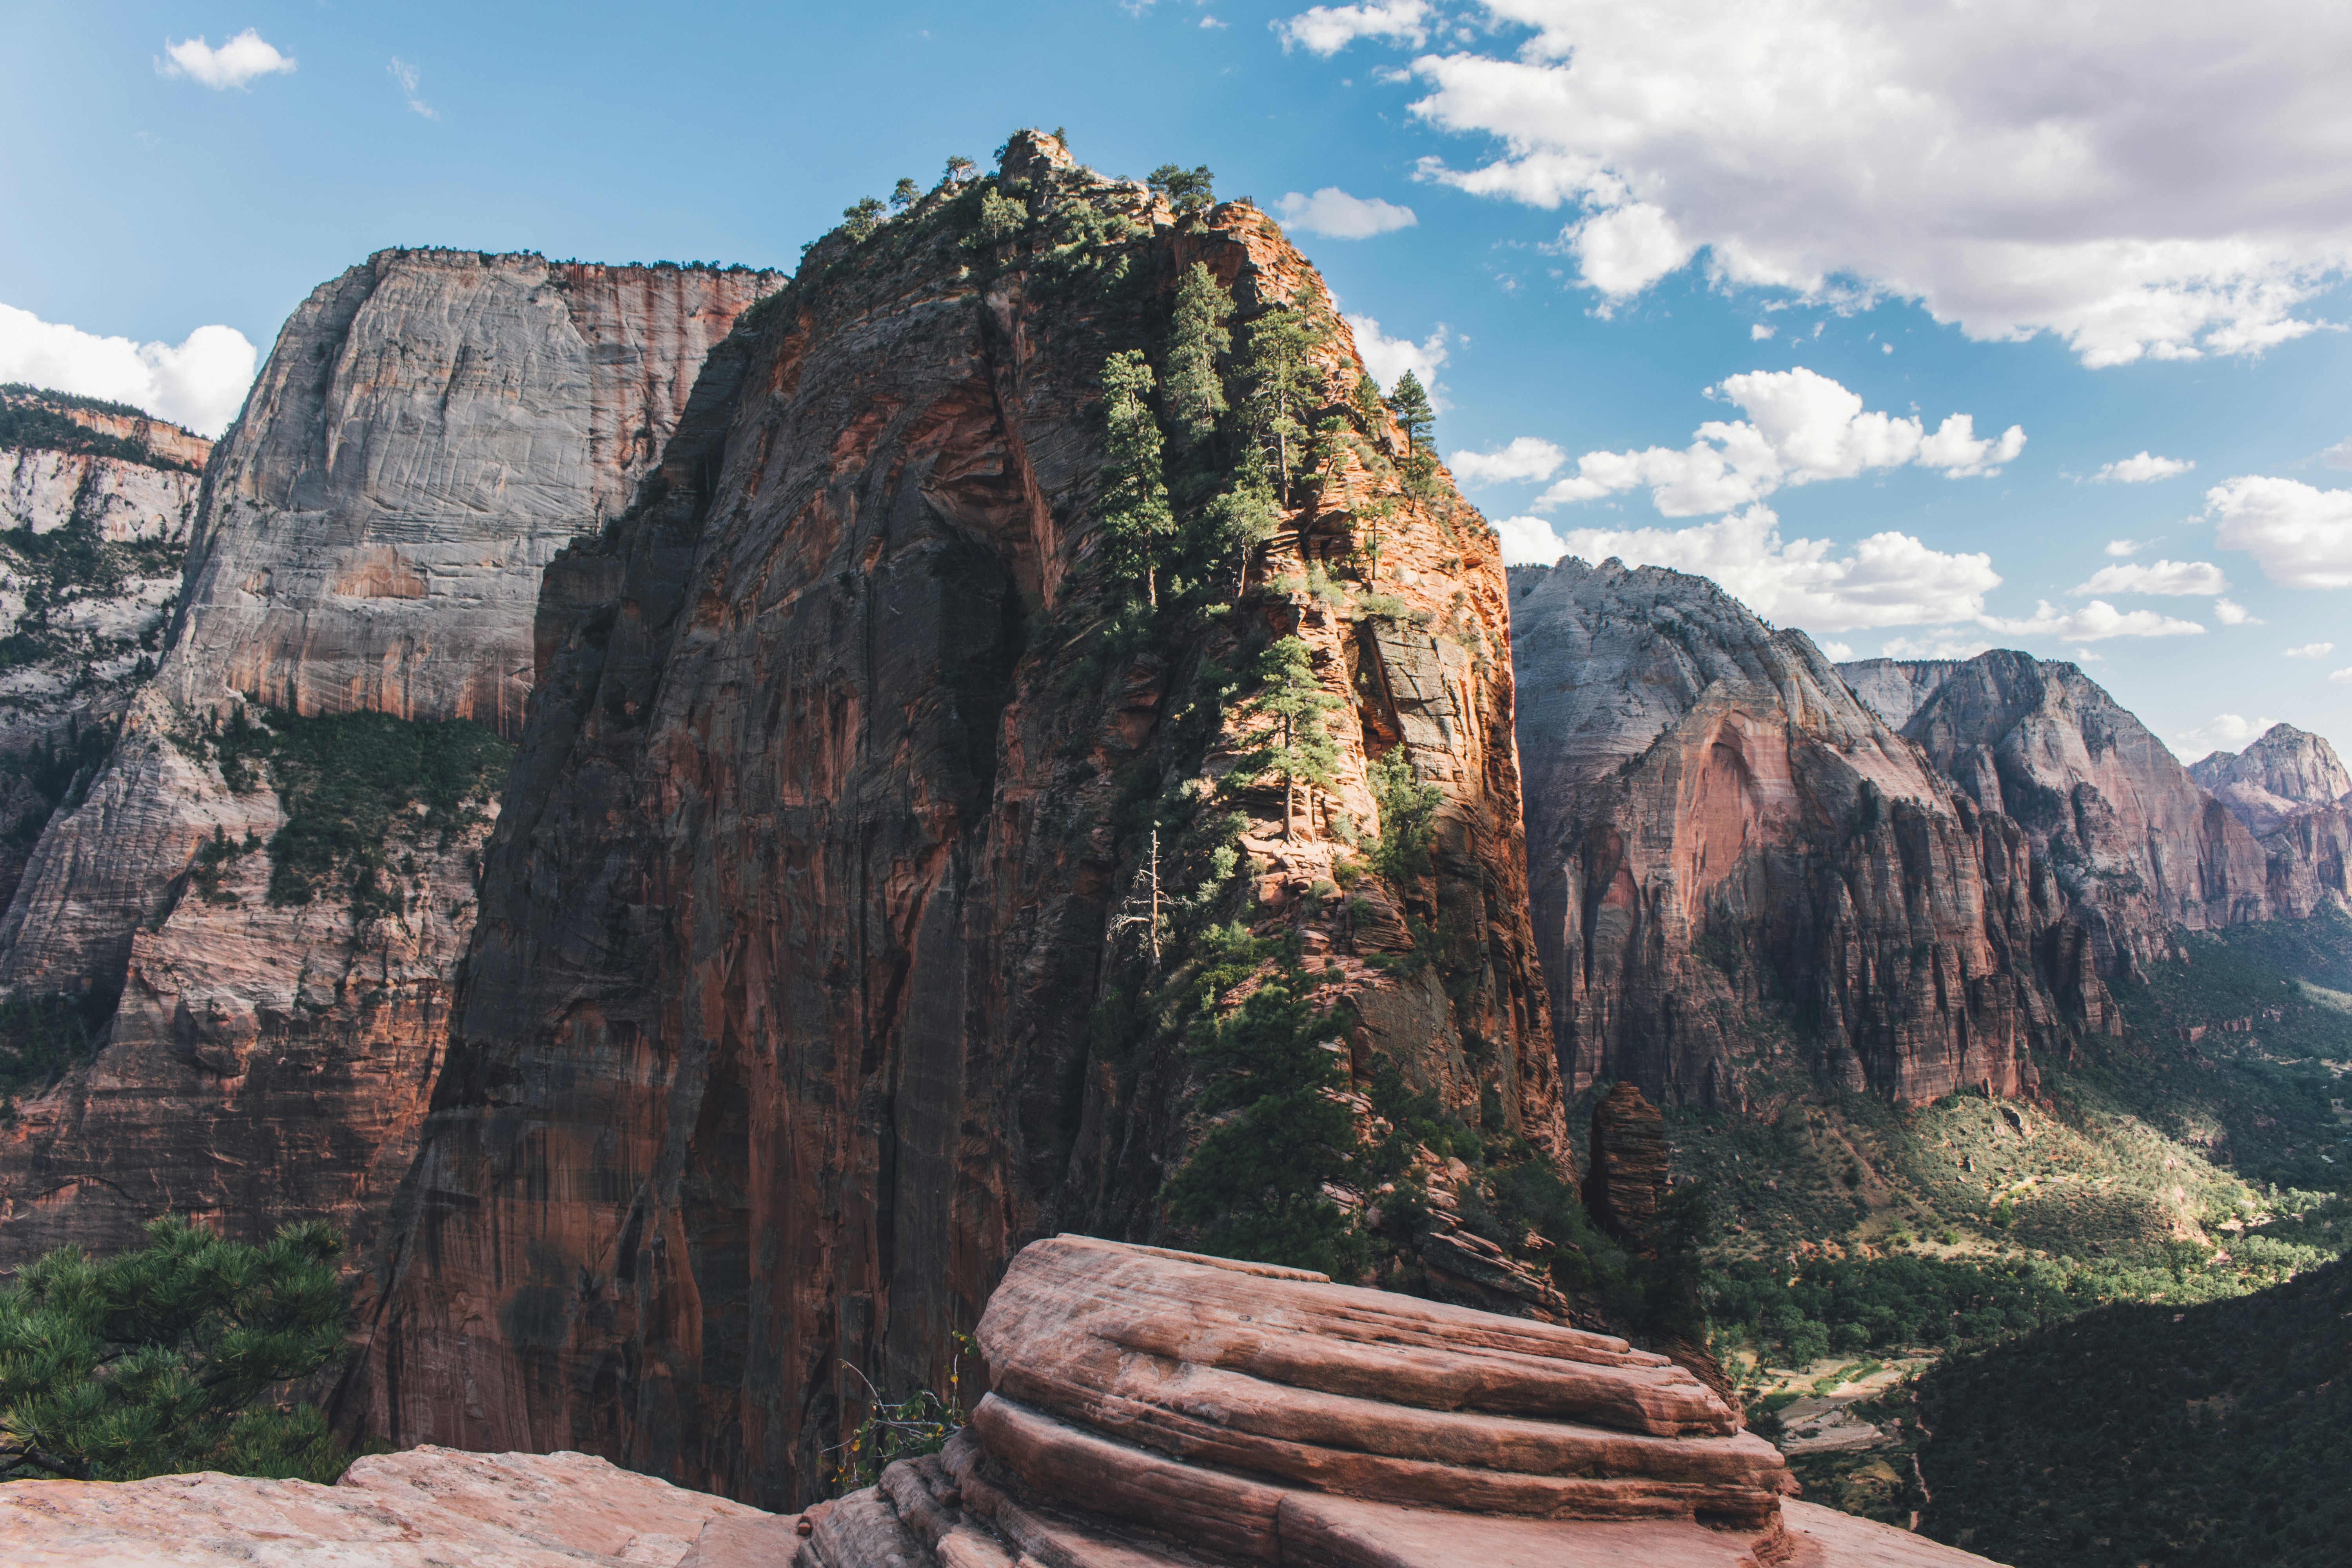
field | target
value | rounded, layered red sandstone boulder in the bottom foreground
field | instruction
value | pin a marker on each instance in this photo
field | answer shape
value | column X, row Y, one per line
column 1177, row 1409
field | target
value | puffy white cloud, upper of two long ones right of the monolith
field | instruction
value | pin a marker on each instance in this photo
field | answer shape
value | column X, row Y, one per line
column 1800, row 429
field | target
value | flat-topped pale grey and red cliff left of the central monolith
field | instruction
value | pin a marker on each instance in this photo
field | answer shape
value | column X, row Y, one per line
column 429, row 431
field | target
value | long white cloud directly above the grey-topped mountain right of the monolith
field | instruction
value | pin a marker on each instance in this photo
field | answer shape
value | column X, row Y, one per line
column 1887, row 579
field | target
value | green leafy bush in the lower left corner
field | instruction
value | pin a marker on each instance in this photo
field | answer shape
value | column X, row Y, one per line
column 166, row 1360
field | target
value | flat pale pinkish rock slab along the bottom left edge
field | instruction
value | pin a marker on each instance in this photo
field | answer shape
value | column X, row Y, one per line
column 427, row 1508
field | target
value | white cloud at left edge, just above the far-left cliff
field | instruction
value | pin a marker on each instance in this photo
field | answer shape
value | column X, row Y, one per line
column 201, row 382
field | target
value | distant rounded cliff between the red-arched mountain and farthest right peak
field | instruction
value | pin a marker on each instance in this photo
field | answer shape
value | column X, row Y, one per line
column 2137, row 845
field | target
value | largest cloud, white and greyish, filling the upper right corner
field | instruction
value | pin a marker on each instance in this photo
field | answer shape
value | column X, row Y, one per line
column 2160, row 185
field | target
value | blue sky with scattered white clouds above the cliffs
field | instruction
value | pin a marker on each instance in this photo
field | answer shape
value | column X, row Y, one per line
column 2113, row 232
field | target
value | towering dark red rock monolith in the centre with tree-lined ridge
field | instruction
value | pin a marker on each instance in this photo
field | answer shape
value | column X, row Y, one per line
column 815, row 923
